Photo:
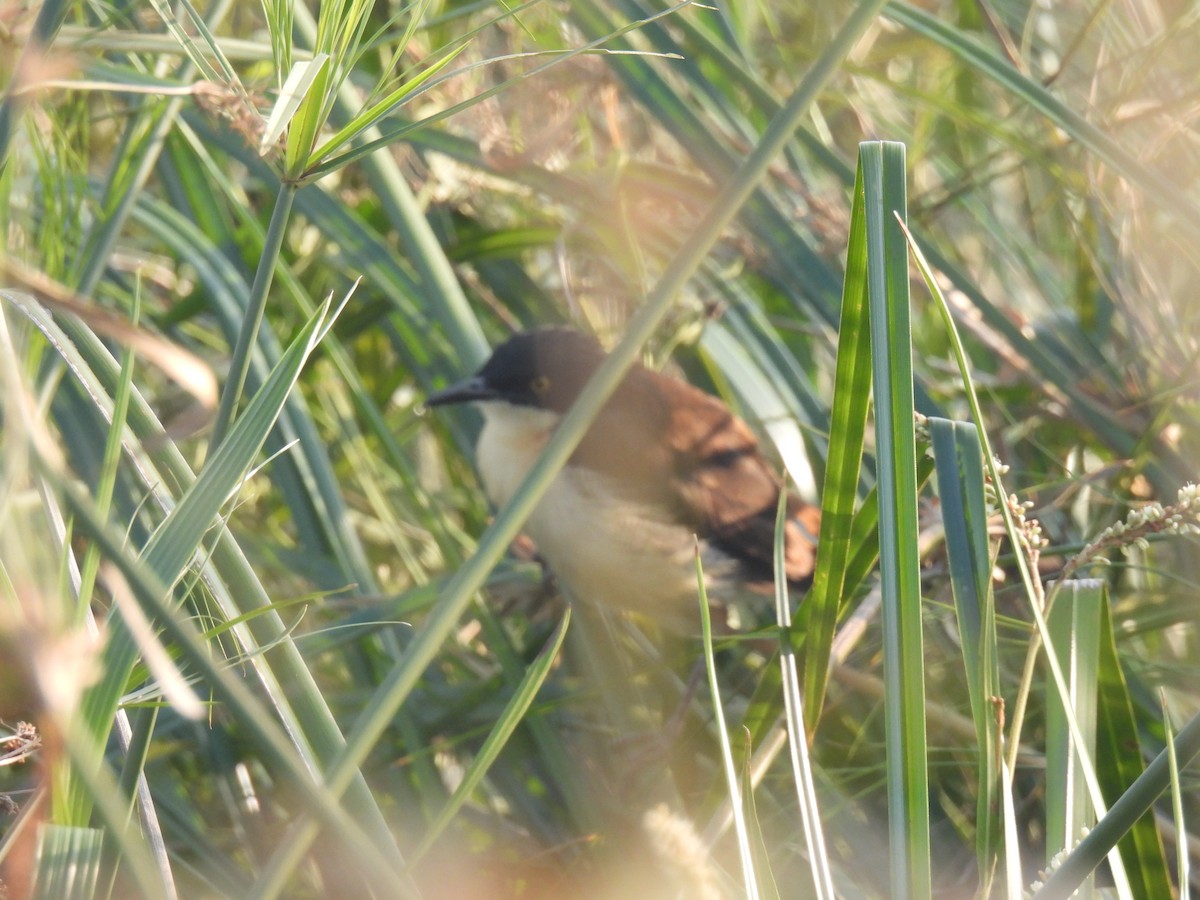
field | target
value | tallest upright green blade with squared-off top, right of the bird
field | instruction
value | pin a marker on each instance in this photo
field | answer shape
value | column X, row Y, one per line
column 887, row 261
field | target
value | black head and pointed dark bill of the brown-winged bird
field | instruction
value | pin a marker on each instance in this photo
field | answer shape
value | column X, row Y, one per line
column 544, row 369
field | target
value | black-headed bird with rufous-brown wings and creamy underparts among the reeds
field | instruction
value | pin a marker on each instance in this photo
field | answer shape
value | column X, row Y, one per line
column 663, row 470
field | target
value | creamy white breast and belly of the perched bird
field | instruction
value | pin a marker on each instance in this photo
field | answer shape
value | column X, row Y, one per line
column 605, row 548
